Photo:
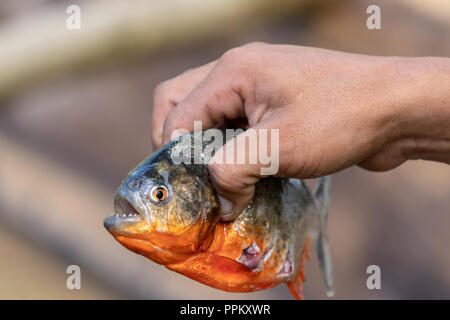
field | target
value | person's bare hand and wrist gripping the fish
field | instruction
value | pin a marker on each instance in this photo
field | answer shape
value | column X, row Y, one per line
column 333, row 110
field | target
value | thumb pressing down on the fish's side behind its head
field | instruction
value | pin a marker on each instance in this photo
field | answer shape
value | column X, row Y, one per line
column 235, row 169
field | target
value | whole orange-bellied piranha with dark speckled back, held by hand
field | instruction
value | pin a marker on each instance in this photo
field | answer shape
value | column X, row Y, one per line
column 168, row 211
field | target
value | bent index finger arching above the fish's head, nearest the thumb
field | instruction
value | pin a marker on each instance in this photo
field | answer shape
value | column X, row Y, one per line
column 216, row 98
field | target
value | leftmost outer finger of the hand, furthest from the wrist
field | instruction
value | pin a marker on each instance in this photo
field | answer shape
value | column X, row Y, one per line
column 169, row 93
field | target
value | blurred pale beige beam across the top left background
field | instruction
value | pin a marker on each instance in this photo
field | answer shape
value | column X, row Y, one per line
column 39, row 45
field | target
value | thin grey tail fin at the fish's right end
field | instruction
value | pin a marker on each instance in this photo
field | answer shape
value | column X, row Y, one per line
column 322, row 197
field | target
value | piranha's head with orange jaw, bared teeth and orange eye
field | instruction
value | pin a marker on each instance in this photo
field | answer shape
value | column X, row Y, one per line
column 165, row 211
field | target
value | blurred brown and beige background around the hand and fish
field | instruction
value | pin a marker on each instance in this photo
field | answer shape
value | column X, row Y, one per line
column 75, row 108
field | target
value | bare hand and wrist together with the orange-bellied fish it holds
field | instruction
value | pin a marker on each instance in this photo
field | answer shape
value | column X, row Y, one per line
column 332, row 110
